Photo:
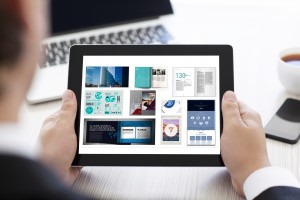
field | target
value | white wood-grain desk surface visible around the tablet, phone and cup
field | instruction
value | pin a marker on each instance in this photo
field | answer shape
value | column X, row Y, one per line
column 257, row 31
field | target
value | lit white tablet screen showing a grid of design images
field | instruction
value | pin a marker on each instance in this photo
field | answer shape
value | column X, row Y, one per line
column 150, row 105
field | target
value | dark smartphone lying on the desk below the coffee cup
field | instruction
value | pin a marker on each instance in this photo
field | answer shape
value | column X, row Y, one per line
column 285, row 124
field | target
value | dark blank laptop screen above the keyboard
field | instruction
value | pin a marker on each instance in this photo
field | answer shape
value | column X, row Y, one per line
column 72, row 15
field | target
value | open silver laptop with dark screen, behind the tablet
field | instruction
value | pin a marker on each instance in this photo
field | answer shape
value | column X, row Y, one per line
column 95, row 22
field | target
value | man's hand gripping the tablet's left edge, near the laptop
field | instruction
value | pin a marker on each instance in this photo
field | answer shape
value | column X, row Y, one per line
column 58, row 139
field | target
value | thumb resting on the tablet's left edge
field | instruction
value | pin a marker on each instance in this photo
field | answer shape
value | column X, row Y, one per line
column 69, row 107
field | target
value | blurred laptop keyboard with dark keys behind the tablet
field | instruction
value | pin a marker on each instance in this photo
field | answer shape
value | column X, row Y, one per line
column 57, row 53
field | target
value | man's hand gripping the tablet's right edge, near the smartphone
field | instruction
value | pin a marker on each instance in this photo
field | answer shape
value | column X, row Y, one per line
column 243, row 143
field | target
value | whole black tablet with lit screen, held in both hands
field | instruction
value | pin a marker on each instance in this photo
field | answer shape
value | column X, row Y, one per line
column 149, row 105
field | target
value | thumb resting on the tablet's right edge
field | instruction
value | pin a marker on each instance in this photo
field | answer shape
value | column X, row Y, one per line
column 230, row 108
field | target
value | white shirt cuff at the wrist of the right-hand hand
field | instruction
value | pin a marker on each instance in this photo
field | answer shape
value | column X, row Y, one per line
column 267, row 177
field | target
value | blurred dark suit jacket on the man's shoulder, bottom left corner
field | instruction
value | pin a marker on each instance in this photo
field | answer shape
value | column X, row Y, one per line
column 21, row 178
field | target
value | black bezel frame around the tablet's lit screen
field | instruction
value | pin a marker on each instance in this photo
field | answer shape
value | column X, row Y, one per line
column 77, row 52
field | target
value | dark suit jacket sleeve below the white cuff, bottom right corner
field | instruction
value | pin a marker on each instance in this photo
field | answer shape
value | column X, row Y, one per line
column 280, row 193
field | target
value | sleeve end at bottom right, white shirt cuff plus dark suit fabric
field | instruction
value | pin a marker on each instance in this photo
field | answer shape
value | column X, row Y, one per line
column 270, row 182
